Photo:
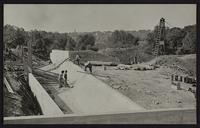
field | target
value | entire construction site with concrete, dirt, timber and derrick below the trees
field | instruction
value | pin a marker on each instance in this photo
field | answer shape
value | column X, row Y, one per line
column 161, row 90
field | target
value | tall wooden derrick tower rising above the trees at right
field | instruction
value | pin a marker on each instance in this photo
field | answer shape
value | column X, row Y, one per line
column 159, row 46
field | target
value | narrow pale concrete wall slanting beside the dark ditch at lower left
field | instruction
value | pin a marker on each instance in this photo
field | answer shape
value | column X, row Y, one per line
column 48, row 106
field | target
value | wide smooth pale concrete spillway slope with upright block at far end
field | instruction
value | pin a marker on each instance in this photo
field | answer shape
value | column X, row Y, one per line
column 89, row 95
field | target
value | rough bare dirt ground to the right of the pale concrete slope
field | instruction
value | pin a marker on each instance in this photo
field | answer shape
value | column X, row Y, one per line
column 152, row 89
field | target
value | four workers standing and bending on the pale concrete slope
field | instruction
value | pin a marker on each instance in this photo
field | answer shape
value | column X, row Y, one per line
column 63, row 76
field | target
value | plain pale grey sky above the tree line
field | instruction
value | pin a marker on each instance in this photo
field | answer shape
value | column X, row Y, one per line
column 93, row 17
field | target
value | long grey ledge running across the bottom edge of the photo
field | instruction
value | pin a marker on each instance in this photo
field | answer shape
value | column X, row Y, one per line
column 168, row 116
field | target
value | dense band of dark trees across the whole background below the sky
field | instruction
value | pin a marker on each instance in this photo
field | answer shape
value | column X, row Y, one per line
column 178, row 41
